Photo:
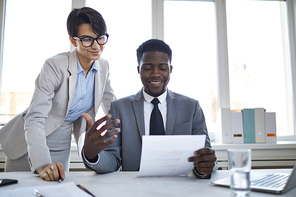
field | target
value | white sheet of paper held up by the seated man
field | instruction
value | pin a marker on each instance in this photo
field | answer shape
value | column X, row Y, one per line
column 168, row 155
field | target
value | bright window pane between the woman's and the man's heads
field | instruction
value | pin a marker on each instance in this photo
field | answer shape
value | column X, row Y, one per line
column 129, row 24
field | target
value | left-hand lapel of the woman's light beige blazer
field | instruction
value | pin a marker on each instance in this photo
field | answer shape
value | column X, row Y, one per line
column 72, row 68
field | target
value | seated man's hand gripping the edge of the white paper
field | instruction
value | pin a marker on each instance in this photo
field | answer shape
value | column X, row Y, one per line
column 204, row 160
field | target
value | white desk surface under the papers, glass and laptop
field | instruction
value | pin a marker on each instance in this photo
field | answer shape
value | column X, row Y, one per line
column 128, row 184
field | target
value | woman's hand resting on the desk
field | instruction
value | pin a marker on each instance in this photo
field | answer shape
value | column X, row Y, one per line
column 52, row 172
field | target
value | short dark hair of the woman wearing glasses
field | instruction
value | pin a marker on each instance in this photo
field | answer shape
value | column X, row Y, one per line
column 85, row 15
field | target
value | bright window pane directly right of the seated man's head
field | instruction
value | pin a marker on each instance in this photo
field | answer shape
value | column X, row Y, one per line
column 193, row 43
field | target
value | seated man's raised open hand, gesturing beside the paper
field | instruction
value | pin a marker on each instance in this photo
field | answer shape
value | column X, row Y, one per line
column 95, row 138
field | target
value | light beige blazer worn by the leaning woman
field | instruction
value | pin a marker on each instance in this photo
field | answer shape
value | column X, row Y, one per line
column 51, row 102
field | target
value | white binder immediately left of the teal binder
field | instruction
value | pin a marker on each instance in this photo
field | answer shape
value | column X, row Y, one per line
column 237, row 127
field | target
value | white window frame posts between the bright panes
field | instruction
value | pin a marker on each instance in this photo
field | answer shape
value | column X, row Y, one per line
column 222, row 52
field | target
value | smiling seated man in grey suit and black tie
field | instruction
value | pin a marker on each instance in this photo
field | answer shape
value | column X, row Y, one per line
column 181, row 115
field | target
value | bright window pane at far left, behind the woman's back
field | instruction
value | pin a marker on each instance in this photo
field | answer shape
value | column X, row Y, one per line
column 34, row 31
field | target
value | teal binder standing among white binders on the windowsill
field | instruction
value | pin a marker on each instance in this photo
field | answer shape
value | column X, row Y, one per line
column 248, row 125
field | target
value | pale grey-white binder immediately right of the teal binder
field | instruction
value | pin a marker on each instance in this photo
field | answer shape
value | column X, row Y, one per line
column 259, row 115
